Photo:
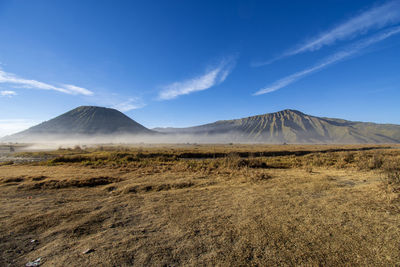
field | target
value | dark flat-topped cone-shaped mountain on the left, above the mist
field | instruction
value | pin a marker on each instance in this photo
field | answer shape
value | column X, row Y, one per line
column 85, row 120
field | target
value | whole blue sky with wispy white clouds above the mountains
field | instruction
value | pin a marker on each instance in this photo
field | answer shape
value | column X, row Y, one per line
column 183, row 63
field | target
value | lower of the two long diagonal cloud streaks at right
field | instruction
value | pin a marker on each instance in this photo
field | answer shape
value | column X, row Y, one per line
column 341, row 55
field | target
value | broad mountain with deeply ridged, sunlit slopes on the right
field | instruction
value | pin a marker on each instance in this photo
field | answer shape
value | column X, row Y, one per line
column 291, row 126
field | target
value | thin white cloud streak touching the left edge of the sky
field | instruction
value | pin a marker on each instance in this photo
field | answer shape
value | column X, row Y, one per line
column 10, row 78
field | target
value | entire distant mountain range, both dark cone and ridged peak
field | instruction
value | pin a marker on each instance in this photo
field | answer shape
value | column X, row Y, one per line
column 287, row 126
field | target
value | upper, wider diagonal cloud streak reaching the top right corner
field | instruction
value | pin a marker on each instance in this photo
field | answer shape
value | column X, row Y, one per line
column 374, row 18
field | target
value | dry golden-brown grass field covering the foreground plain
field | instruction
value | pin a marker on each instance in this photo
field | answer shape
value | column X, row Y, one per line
column 212, row 205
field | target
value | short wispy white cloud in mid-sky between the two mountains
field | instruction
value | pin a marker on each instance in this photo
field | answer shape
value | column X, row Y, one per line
column 209, row 79
